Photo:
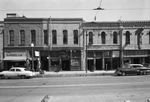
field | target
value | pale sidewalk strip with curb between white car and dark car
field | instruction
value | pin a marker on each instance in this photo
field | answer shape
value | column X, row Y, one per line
column 75, row 73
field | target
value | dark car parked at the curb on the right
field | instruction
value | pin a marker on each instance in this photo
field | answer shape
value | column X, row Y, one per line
column 138, row 69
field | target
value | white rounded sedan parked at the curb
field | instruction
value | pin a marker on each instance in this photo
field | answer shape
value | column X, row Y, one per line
column 17, row 72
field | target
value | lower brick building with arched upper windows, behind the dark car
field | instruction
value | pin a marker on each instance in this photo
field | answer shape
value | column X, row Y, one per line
column 112, row 44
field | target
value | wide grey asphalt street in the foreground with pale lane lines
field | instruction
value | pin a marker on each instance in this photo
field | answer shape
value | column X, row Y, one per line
column 77, row 89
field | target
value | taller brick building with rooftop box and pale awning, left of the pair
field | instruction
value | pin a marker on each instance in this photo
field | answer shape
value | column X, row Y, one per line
column 57, row 40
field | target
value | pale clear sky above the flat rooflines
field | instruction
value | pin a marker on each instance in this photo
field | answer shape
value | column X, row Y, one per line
column 114, row 10
